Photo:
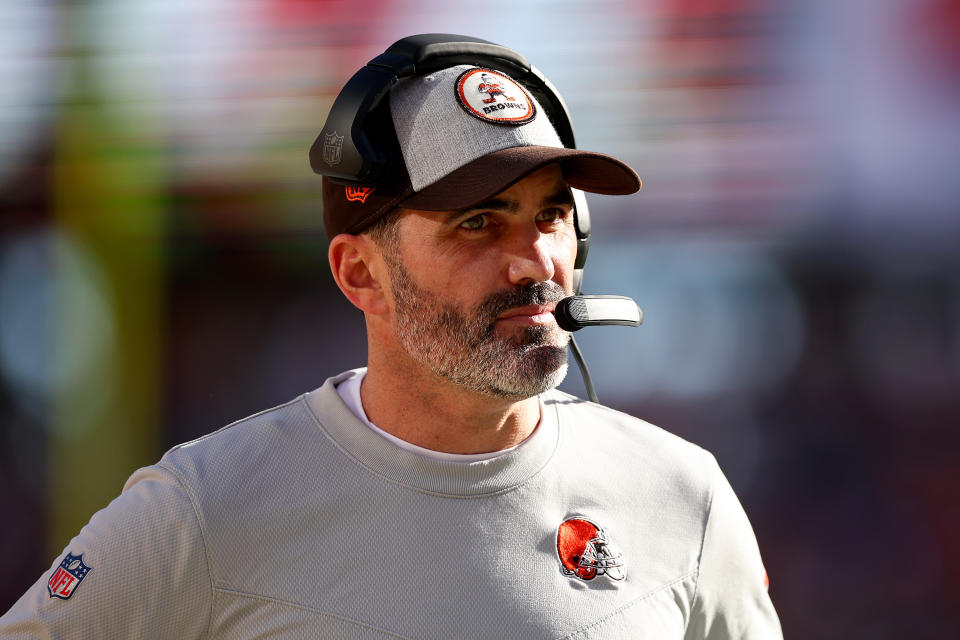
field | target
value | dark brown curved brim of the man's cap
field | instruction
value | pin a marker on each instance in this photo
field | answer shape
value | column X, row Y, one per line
column 488, row 175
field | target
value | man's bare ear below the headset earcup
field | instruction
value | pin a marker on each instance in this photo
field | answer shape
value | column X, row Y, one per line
column 358, row 268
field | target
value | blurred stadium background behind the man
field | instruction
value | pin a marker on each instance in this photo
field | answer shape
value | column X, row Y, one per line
column 795, row 249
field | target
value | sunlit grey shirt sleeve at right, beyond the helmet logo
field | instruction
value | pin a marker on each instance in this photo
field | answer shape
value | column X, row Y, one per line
column 732, row 598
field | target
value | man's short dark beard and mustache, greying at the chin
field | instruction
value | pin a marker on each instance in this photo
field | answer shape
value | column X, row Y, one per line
column 466, row 349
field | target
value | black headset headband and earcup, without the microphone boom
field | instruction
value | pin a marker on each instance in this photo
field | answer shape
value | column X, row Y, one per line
column 368, row 146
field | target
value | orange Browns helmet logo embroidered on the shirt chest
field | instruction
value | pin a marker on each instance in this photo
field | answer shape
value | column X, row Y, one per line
column 585, row 552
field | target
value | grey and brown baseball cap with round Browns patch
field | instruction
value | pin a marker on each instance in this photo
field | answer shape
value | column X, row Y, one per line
column 466, row 133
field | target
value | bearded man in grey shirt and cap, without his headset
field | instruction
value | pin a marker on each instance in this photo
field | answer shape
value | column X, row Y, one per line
column 446, row 490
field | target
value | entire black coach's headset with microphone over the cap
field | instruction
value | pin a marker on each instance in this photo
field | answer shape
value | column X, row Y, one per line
column 371, row 151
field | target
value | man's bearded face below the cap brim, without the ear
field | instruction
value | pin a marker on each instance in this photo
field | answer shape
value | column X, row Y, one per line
column 474, row 290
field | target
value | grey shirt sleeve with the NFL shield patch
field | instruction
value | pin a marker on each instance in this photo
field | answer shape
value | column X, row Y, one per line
column 138, row 569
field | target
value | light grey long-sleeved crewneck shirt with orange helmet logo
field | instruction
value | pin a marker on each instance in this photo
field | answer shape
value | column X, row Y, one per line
column 302, row 522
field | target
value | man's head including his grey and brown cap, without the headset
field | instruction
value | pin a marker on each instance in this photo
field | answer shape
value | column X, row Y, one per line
column 459, row 254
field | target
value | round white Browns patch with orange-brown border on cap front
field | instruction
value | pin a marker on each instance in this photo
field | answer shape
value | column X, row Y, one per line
column 495, row 97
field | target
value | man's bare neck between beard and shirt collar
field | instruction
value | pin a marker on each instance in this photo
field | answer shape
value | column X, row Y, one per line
column 414, row 404
